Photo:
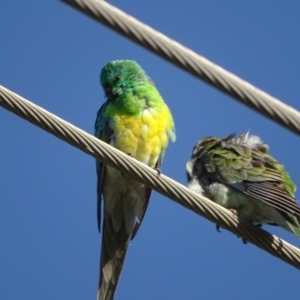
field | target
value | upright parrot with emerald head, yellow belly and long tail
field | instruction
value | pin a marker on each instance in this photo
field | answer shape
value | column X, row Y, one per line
column 135, row 120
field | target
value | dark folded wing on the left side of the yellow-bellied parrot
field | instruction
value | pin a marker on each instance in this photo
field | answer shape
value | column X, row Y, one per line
column 104, row 133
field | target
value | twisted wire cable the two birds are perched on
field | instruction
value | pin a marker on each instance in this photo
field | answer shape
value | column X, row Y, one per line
column 161, row 183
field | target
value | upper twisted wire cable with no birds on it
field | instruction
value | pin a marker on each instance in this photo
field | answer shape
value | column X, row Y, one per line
column 190, row 61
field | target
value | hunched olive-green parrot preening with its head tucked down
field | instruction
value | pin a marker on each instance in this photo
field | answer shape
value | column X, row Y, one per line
column 238, row 173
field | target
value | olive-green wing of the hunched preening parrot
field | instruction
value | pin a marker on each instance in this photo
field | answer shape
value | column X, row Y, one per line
column 252, row 172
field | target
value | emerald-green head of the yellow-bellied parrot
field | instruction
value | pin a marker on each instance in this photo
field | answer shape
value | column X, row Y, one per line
column 119, row 75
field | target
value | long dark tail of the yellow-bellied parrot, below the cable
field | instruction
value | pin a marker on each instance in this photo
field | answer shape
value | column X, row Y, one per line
column 115, row 240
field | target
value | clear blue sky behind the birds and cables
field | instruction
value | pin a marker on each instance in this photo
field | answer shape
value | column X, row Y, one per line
column 52, row 55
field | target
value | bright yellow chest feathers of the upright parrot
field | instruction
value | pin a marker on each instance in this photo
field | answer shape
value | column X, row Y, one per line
column 141, row 136
